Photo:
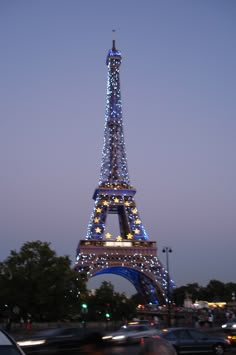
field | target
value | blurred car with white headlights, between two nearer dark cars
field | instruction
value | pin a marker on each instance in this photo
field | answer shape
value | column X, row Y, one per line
column 130, row 334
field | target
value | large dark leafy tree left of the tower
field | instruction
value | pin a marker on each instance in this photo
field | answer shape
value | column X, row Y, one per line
column 39, row 283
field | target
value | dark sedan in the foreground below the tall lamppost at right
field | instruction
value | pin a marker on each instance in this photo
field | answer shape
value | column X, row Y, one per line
column 190, row 340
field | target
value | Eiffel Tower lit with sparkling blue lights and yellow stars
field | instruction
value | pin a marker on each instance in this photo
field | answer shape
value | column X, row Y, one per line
column 130, row 254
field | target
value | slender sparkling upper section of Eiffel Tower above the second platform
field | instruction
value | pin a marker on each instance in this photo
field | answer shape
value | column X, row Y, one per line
column 114, row 169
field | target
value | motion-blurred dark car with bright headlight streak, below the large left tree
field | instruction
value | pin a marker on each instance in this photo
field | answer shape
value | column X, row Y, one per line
column 54, row 341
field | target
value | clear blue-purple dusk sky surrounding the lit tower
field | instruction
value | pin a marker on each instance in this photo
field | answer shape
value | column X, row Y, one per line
column 178, row 87
